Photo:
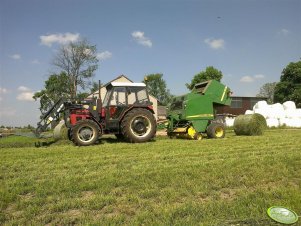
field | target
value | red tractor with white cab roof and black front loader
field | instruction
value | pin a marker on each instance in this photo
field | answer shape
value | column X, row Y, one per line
column 126, row 111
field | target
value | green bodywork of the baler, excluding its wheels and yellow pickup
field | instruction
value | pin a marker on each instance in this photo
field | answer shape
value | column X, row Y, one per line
column 197, row 108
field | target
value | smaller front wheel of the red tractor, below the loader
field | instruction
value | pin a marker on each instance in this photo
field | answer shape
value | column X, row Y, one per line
column 85, row 133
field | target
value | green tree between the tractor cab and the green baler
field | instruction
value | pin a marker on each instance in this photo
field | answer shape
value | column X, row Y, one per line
column 156, row 86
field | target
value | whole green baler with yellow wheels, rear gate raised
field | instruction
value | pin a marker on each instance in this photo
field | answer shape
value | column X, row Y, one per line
column 193, row 115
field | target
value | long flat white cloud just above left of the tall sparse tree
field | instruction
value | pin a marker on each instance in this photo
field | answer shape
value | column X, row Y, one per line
column 59, row 38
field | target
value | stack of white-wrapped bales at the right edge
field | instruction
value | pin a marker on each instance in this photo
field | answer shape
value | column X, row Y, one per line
column 278, row 114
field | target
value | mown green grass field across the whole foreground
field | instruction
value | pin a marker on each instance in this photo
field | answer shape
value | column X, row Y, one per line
column 231, row 181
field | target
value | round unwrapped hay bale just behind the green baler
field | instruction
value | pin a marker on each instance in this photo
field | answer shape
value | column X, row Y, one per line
column 250, row 125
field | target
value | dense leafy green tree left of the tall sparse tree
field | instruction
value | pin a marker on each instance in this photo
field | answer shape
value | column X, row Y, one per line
column 57, row 86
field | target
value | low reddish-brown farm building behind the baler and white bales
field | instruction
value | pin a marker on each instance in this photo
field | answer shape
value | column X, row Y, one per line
column 239, row 105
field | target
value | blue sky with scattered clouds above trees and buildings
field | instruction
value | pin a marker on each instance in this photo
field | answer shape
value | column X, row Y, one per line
column 249, row 41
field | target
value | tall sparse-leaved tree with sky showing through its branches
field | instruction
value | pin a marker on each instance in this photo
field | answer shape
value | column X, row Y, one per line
column 79, row 62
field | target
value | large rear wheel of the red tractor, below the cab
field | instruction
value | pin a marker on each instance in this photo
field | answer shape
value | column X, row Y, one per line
column 138, row 125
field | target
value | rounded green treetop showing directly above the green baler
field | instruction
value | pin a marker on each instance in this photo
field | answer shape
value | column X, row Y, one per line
column 209, row 74
